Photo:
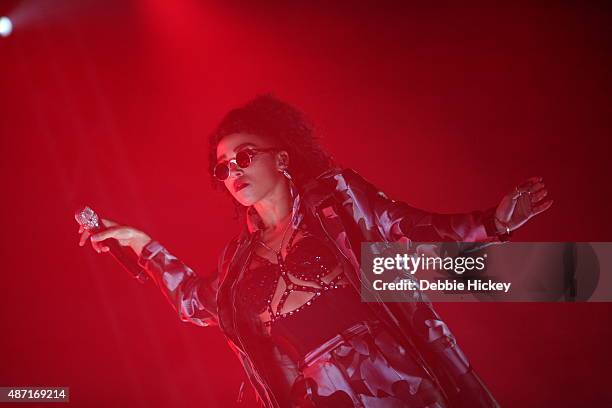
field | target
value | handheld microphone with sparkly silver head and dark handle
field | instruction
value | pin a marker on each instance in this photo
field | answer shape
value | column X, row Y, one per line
column 89, row 220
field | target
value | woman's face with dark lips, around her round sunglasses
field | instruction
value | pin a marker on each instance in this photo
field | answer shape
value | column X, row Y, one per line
column 261, row 178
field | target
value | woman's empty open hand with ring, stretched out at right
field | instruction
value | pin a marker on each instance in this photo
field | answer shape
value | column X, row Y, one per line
column 523, row 203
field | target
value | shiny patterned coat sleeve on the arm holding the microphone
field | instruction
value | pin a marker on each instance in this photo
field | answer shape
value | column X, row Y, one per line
column 191, row 295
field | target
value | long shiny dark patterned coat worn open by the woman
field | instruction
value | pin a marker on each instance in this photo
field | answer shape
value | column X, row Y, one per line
column 350, row 210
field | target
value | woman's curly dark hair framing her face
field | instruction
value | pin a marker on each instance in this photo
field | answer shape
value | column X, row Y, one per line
column 285, row 126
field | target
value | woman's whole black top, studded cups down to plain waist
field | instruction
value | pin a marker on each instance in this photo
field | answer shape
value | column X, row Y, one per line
column 302, row 298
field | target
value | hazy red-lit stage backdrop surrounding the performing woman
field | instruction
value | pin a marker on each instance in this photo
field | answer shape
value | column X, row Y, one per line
column 109, row 103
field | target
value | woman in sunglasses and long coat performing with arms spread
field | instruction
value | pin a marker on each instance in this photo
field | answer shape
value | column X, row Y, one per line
column 286, row 291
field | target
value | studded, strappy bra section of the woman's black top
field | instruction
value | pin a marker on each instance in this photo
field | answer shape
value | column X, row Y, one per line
column 279, row 289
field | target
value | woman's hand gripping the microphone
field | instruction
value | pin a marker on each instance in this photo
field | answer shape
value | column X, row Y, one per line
column 125, row 235
